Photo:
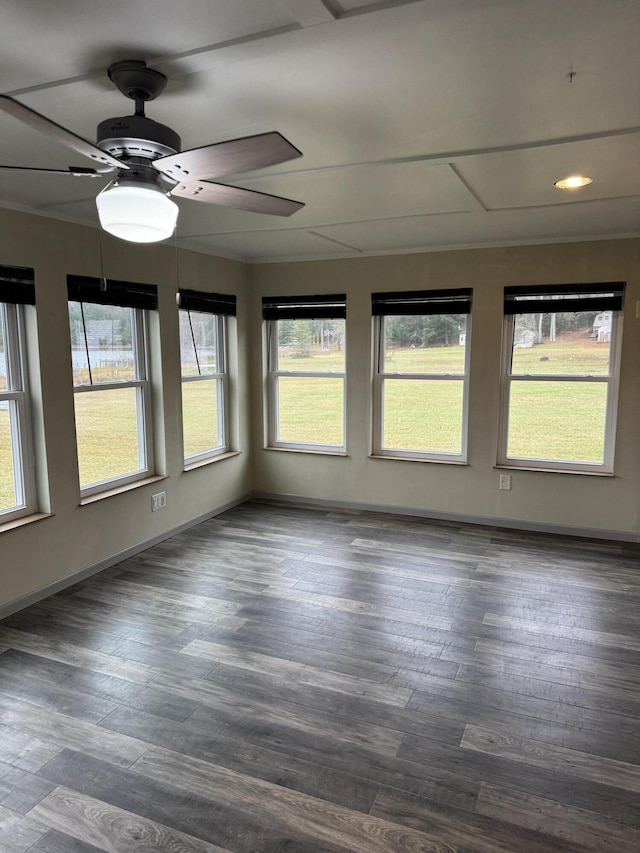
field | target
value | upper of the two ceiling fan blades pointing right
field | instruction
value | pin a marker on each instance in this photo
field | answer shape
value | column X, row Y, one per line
column 228, row 158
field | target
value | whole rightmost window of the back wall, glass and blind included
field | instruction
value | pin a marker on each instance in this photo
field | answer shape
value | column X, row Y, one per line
column 560, row 377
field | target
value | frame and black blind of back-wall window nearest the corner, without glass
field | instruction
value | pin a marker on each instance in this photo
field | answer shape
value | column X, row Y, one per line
column 275, row 309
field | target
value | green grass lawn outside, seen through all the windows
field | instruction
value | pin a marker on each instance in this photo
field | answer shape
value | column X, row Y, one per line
column 548, row 420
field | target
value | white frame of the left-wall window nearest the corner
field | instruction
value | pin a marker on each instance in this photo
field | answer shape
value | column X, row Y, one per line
column 221, row 378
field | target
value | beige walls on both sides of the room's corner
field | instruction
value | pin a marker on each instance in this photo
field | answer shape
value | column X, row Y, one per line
column 34, row 556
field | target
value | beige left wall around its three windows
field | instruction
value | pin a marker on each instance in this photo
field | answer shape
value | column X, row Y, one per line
column 75, row 537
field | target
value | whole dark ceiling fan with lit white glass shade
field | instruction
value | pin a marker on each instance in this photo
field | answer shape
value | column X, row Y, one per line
column 150, row 168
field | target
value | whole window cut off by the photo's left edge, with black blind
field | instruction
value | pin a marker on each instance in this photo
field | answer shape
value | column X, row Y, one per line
column 17, row 488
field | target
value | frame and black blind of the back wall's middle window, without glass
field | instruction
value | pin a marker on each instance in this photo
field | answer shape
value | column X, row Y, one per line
column 418, row 303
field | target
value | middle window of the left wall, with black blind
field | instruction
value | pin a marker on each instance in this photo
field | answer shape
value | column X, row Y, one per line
column 111, row 382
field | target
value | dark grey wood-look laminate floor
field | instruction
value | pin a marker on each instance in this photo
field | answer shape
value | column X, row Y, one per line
column 289, row 680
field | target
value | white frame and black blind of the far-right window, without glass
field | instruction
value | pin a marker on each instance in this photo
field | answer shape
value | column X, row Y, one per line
column 588, row 298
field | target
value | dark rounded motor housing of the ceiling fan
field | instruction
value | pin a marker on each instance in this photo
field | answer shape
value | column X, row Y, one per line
column 137, row 136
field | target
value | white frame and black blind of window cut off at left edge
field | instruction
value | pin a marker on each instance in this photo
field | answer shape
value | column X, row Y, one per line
column 20, row 291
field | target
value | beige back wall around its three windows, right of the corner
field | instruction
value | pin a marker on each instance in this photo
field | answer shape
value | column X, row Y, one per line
column 606, row 504
